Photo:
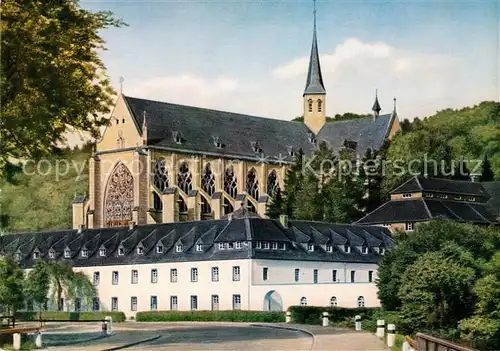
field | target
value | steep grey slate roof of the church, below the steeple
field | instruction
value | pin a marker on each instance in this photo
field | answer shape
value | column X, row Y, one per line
column 245, row 136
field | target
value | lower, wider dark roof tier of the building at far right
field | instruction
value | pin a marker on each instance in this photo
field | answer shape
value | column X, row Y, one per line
column 422, row 209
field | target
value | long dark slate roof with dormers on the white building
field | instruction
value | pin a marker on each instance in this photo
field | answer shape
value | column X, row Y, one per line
column 209, row 233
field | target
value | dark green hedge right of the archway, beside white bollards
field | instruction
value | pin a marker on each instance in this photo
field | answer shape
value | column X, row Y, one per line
column 313, row 314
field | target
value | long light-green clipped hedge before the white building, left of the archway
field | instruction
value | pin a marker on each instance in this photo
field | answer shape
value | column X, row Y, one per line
column 210, row 316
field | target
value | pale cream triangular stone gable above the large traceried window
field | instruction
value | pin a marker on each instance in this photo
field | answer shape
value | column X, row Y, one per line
column 123, row 131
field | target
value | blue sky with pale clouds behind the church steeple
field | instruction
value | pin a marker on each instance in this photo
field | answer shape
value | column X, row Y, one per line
column 251, row 56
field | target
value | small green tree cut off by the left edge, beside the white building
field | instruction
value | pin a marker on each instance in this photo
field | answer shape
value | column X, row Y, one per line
column 11, row 285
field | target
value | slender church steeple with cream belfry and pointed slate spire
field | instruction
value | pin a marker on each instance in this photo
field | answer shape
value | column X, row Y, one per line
column 314, row 94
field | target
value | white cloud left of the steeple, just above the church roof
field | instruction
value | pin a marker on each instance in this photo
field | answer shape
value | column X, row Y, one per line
column 184, row 89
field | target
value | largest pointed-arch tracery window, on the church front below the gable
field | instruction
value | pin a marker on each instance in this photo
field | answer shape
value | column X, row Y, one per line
column 119, row 197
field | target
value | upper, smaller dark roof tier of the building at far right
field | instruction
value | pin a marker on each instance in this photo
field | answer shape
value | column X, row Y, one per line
column 438, row 185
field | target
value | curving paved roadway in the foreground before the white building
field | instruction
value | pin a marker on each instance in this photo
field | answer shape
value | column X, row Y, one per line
column 223, row 336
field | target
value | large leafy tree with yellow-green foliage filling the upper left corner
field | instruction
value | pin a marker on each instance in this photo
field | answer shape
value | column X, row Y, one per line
column 53, row 80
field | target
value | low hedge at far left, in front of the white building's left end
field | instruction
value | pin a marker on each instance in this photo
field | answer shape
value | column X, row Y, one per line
column 70, row 316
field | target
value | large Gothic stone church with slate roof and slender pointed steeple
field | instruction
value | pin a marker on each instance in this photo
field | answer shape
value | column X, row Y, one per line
column 159, row 162
